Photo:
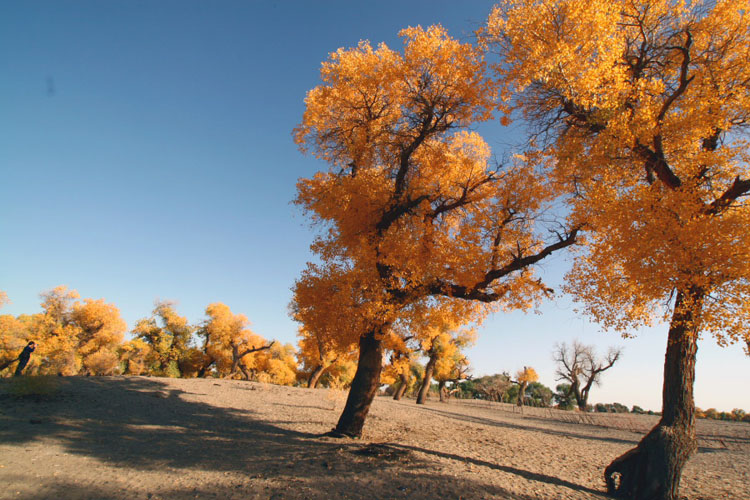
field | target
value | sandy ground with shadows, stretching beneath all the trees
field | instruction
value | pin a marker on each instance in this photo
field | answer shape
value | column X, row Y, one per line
column 152, row 438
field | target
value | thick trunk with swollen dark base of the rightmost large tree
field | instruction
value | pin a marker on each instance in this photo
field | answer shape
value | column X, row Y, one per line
column 652, row 470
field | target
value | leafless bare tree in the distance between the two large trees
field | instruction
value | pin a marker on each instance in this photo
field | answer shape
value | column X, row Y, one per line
column 579, row 366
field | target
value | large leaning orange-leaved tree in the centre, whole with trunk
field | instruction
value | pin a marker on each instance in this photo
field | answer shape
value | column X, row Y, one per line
column 411, row 202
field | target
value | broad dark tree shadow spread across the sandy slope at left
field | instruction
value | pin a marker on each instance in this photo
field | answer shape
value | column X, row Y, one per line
column 144, row 424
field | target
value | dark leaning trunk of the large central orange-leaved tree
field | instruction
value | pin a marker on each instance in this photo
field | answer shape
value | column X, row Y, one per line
column 364, row 386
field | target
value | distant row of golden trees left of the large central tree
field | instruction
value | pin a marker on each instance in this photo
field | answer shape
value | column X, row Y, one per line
column 87, row 337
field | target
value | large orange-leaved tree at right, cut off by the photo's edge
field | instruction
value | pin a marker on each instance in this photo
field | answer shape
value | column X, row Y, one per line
column 642, row 106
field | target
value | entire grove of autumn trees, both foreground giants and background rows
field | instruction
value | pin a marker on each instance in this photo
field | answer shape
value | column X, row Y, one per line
column 635, row 159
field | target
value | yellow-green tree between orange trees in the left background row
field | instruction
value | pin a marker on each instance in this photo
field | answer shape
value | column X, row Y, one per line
column 168, row 335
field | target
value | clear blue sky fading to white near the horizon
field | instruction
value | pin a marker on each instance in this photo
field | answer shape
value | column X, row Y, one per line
column 146, row 154
